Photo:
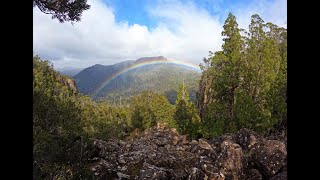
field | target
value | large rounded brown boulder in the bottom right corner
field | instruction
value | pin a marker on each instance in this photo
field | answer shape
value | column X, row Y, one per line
column 270, row 156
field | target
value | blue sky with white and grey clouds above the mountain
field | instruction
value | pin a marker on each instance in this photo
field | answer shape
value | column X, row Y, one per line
column 112, row 31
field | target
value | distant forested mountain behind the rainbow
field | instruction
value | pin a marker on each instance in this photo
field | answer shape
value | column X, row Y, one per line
column 129, row 78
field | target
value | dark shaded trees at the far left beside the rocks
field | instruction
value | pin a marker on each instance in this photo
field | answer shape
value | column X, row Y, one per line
column 58, row 139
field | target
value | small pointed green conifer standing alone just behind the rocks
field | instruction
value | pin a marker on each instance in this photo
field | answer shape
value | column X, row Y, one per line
column 186, row 114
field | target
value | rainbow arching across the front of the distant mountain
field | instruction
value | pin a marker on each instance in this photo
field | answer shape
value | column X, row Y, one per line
column 137, row 65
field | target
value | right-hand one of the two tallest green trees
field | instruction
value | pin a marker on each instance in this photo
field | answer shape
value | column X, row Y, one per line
column 261, row 72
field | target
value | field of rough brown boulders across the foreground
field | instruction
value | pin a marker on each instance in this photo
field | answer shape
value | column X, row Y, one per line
column 161, row 153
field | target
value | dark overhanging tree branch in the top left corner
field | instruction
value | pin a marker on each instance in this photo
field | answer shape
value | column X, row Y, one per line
column 63, row 10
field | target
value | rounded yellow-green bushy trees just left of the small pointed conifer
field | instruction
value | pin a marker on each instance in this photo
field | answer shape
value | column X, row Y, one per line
column 150, row 108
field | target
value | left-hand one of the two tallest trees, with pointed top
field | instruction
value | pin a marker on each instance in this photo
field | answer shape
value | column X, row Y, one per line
column 224, row 81
